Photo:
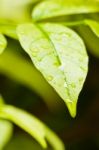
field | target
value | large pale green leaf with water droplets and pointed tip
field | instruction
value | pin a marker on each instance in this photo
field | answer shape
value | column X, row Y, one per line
column 60, row 55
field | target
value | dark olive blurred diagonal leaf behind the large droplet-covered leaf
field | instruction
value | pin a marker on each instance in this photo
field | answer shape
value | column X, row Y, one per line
column 24, row 73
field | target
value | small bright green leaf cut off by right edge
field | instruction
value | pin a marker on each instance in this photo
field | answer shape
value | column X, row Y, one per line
column 94, row 25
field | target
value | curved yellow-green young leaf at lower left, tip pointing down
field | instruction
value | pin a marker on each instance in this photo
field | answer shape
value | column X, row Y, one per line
column 26, row 121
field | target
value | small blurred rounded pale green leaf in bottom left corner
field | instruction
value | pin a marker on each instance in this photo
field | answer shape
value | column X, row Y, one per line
column 6, row 129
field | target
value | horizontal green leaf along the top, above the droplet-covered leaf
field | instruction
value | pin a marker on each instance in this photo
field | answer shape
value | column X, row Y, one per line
column 54, row 8
